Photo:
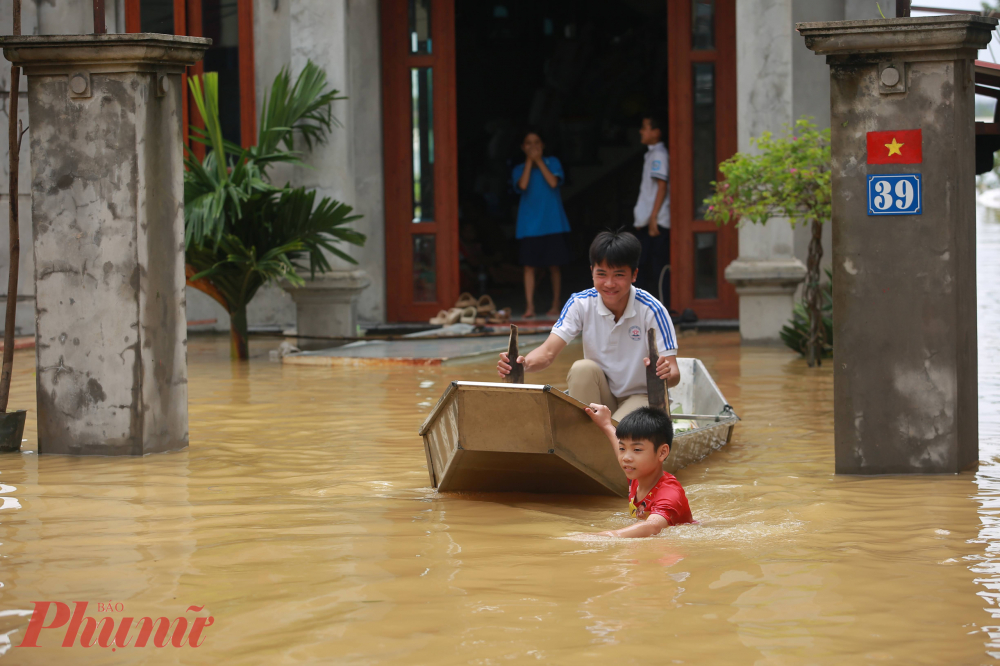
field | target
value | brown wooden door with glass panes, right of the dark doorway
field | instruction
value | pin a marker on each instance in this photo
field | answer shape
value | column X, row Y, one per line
column 702, row 48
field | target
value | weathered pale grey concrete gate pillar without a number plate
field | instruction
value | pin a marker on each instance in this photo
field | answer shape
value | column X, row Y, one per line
column 107, row 216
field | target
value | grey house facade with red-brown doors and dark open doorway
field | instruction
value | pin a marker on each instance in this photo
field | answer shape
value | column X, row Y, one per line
column 436, row 93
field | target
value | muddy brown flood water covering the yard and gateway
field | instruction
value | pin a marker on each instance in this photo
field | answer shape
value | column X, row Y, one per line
column 301, row 518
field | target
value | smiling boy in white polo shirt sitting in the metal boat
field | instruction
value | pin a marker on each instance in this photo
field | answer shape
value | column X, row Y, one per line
column 613, row 318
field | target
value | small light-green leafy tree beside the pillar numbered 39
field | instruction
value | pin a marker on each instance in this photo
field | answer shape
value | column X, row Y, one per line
column 787, row 176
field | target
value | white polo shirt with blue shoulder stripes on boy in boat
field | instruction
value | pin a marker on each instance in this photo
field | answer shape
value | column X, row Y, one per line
column 618, row 347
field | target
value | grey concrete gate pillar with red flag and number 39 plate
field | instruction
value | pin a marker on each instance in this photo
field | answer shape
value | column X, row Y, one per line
column 904, row 278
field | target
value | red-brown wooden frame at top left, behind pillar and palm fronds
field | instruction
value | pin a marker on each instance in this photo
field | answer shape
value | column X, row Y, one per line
column 187, row 21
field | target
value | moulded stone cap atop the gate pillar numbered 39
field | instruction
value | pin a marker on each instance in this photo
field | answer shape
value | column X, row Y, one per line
column 927, row 36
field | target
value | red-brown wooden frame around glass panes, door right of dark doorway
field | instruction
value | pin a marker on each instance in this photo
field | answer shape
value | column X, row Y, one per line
column 683, row 226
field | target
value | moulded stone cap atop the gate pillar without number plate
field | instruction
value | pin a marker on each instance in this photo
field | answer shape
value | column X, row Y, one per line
column 41, row 54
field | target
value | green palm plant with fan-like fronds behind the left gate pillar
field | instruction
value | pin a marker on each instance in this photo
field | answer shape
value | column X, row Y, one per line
column 241, row 231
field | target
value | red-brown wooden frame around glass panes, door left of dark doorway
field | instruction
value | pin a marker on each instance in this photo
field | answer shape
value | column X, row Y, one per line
column 398, row 156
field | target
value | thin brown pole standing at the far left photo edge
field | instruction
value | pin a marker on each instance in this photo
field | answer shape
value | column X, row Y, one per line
column 14, row 145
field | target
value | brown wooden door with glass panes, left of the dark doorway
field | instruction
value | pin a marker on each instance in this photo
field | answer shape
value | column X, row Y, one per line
column 421, row 178
